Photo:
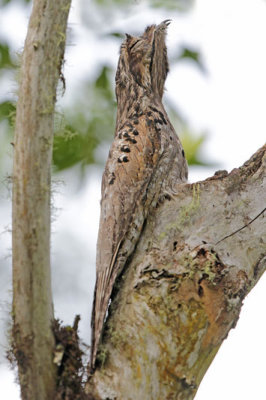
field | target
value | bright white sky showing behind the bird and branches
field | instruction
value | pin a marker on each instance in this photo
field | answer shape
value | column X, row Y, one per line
column 228, row 103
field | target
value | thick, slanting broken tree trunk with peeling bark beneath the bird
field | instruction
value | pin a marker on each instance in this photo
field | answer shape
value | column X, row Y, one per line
column 199, row 255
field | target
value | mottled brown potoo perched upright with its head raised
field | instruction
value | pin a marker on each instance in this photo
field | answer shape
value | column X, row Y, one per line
column 146, row 161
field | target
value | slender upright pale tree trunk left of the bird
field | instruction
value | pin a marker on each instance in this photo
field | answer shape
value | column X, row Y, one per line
column 33, row 339
